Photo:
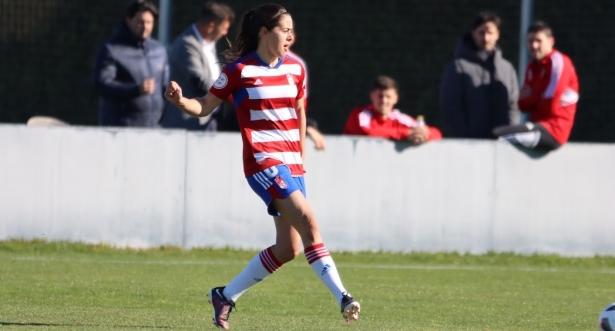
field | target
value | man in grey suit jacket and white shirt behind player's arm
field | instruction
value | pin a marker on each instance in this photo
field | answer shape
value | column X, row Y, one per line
column 195, row 64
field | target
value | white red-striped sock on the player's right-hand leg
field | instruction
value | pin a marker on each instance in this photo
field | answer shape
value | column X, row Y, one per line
column 318, row 257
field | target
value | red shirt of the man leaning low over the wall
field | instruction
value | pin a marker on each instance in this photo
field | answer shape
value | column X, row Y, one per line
column 365, row 121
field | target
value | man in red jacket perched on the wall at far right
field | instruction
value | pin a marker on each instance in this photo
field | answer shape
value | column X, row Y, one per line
column 550, row 94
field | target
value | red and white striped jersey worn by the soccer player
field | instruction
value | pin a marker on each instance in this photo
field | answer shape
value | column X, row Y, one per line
column 265, row 101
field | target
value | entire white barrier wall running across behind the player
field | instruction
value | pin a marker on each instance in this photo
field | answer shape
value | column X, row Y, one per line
column 141, row 188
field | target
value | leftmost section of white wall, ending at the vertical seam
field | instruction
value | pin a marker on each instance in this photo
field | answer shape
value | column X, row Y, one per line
column 116, row 186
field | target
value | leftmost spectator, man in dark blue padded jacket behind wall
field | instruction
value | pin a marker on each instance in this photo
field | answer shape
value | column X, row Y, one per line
column 131, row 71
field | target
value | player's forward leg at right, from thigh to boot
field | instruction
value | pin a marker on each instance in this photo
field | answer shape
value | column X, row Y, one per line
column 297, row 212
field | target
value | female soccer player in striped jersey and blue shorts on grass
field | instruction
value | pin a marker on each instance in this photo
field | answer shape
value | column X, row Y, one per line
column 268, row 89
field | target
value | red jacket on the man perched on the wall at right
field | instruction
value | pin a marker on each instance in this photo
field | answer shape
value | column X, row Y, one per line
column 550, row 93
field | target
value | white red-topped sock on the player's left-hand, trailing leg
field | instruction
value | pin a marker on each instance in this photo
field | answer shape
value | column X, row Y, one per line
column 261, row 266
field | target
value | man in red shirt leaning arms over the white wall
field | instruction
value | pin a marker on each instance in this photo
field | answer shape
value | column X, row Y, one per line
column 380, row 119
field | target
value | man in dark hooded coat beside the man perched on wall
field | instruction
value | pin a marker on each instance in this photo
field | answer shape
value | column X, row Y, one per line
column 479, row 89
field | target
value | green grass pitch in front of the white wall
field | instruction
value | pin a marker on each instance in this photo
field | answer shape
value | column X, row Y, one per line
column 63, row 286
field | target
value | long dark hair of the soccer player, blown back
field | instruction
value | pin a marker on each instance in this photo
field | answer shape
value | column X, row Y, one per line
column 267, row 16
